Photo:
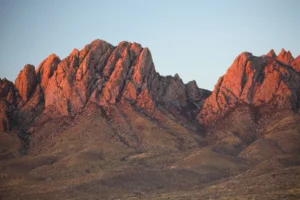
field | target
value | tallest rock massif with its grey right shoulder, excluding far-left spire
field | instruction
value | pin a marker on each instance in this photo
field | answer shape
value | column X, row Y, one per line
column 103, row 74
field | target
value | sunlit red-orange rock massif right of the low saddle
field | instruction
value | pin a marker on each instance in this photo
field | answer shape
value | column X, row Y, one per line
column 256, row 81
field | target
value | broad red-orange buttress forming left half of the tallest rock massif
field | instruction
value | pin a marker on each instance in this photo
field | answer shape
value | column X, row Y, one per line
column 76, row 76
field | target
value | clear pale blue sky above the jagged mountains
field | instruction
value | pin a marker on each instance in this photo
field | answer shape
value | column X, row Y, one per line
column 196, row 39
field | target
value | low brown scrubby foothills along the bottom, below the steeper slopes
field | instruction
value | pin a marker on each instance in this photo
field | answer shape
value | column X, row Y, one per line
column 197, row 174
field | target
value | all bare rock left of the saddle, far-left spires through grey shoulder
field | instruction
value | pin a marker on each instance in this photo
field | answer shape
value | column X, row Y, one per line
column 104, row 75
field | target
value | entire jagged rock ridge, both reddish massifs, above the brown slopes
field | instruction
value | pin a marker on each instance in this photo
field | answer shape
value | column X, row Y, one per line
column 103, row 74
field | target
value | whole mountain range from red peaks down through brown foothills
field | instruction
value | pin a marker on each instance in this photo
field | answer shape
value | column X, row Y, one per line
column 103, row 124
